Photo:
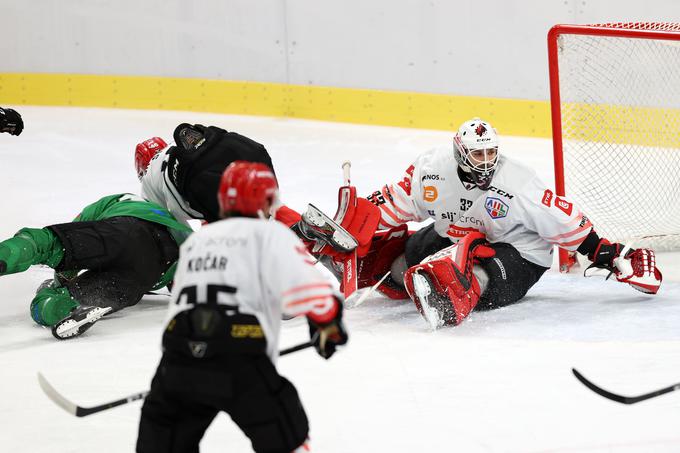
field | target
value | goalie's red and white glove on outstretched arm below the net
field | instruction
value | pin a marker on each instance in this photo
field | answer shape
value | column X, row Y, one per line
column 637, row 267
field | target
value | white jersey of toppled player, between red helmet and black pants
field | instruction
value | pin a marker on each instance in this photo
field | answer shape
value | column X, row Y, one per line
column 157, row 187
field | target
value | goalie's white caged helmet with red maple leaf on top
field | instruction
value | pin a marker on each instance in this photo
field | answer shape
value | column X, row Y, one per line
column 475, row 146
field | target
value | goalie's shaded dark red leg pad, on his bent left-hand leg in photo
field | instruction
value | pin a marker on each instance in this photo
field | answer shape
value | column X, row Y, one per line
column 384, row 249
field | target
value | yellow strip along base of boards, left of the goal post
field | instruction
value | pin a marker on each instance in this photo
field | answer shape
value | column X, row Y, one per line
column 362, row 106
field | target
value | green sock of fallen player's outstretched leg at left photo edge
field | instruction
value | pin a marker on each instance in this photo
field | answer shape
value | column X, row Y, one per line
column 30, row 246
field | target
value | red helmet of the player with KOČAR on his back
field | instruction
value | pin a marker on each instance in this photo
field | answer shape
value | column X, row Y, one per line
column 248, row 189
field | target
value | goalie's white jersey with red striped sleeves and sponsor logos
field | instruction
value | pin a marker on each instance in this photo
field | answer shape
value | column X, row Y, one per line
column 518, row 209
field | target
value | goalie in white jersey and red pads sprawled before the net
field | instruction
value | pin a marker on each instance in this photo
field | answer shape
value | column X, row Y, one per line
column 495, row 226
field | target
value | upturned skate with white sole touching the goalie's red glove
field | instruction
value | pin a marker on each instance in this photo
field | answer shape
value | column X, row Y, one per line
column 318, row 227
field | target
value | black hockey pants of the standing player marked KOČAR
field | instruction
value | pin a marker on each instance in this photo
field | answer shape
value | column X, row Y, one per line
column 197, row 379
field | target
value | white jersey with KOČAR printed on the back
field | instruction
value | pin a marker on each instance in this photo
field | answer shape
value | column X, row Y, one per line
column 264, row 263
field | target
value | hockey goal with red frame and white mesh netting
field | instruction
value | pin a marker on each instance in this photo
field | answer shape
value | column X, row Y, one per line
column 615, row 102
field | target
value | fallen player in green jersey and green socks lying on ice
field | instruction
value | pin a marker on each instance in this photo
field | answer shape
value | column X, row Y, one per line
column 127, row 246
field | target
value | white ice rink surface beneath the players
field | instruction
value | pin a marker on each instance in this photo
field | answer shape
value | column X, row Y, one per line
column 500, row 382
